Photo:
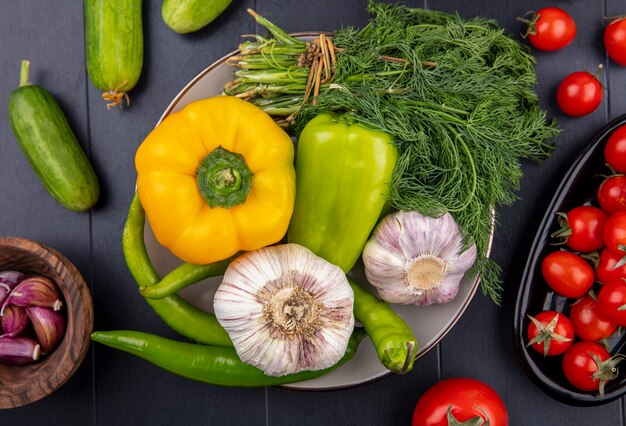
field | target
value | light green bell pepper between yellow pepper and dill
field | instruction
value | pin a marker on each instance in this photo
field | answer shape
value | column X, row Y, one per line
column 343, row 172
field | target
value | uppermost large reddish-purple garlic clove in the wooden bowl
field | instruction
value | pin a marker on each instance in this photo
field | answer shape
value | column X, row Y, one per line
column 35, row 291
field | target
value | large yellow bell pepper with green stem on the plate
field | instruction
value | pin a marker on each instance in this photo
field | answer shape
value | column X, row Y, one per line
column 216, row 178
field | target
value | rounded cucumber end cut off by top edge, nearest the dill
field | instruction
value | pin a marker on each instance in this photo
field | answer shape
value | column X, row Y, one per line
column 185, row 16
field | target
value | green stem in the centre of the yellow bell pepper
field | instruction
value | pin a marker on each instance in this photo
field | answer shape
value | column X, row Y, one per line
column 224, row 179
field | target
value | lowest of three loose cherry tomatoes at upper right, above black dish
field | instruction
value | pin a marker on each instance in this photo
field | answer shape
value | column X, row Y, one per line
column 579, row 94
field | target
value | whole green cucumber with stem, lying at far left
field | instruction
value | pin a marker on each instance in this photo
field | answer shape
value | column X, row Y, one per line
column 50, row 146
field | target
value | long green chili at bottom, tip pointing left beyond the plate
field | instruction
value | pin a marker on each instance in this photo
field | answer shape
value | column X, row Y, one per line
column 208, row 364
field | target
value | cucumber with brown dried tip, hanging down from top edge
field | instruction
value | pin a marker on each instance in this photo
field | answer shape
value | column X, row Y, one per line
column 113, row 46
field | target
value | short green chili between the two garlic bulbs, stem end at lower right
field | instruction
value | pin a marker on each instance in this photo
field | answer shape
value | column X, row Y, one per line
column 393, row 339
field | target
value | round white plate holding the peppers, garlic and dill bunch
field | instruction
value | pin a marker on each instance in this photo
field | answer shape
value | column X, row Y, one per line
column 429, row 324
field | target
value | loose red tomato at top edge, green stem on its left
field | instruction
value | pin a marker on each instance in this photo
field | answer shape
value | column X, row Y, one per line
column 551, row 28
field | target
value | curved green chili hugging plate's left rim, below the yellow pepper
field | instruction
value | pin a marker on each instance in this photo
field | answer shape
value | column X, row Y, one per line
column 180, row 315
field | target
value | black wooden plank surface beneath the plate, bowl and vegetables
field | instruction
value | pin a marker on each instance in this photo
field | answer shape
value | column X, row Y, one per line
column 114, row 388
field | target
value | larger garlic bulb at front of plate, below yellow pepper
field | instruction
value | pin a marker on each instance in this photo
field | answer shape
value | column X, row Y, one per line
column 286, row 309
